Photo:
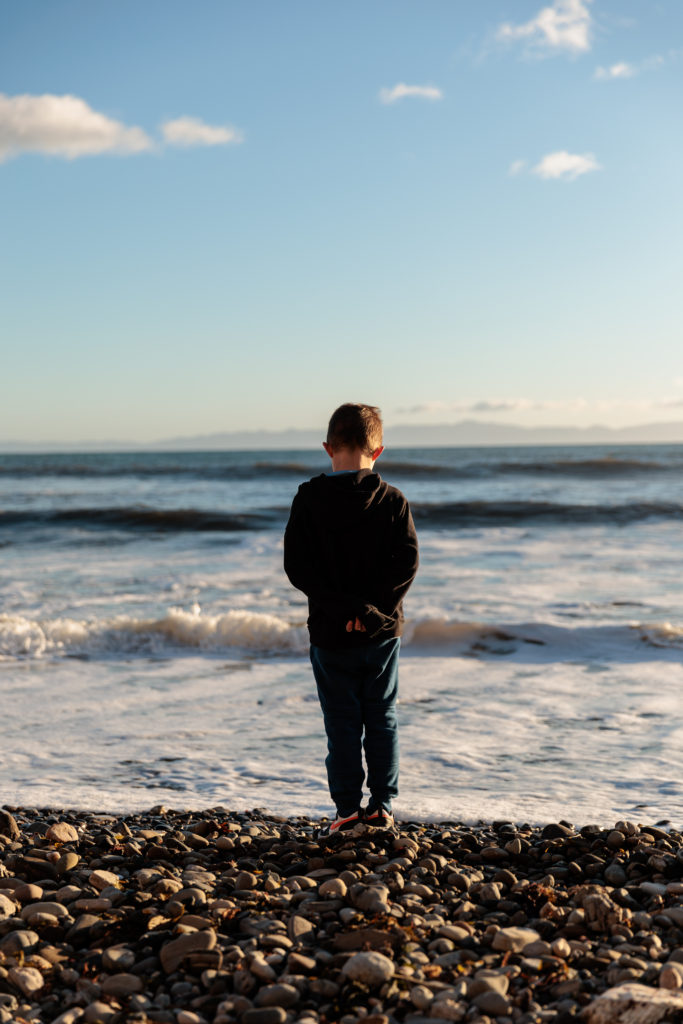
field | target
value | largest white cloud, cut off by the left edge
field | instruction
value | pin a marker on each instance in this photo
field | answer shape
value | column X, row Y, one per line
column 63, row 126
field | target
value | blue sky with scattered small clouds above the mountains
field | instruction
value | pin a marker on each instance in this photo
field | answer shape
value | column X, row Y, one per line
column 238, row 215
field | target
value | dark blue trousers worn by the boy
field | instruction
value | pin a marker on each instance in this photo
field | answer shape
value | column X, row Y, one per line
column 359, row 691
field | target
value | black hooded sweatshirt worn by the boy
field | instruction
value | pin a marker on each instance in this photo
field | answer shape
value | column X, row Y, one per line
column 351, row 546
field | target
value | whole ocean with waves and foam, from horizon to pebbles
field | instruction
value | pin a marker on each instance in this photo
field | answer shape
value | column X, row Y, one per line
column 152, row 650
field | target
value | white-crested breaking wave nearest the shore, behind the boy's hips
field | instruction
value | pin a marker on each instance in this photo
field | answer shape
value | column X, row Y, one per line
column 265, row 635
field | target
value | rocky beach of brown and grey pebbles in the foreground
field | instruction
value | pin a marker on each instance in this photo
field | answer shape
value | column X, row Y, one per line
column 221, row 917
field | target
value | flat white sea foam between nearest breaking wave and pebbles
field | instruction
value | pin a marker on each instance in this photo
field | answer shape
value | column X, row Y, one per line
column 480, row 740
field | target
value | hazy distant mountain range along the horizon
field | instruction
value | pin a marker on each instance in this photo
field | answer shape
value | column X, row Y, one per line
column 464, row 434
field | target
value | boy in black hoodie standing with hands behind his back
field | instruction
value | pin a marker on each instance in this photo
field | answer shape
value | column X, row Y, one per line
column 351, row 546
